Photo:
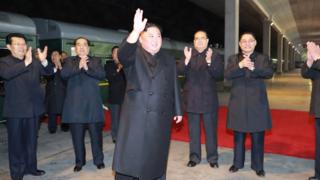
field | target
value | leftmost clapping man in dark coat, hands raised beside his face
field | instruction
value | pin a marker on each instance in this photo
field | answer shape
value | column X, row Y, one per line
column 23, row 103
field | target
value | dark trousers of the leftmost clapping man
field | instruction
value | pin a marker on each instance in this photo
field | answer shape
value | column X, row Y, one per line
column 22, row 146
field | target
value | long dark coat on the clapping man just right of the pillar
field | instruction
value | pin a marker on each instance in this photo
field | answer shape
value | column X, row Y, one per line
column 248, row 105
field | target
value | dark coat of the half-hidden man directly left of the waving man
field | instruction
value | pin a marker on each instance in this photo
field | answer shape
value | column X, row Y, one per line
column 117, row 83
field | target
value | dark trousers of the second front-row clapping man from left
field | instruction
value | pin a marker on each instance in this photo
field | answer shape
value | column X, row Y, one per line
column 78, row 135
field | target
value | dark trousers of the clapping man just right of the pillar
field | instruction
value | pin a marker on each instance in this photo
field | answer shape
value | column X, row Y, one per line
column 257, row 150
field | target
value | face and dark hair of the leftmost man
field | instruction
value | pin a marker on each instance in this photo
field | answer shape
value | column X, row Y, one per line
column 18, row 47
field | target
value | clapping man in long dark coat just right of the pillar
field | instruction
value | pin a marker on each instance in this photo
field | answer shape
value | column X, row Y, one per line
column 248, row 105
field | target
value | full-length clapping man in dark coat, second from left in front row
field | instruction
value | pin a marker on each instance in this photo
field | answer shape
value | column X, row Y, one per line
column 83, row 104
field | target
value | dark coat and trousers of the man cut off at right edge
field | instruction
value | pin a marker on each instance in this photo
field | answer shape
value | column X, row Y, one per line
column 313, row 73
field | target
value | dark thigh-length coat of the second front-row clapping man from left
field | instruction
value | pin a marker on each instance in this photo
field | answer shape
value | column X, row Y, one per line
column 83, row 103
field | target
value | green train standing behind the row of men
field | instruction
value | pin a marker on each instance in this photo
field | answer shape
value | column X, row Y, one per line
column 60, row 35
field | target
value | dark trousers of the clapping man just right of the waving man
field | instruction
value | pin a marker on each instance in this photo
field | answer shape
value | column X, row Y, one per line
column 210, row 125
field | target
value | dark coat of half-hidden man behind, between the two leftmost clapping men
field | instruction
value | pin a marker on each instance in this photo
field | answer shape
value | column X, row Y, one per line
column 55, row 93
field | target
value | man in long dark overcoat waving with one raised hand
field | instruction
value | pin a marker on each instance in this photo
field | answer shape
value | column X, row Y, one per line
column 152, row 99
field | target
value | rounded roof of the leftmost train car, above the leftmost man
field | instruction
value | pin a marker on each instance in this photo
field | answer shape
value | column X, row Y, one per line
column 10, row 22
